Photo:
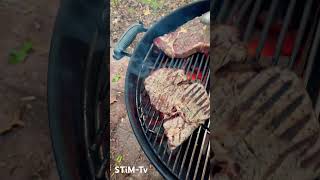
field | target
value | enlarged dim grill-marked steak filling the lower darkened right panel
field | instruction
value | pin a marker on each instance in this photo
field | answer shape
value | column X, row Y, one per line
column 264, row 125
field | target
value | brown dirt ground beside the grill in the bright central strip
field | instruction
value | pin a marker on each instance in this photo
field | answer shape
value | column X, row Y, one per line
column 125, row 149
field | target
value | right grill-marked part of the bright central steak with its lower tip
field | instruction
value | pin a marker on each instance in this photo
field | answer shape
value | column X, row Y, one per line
column 193, row 108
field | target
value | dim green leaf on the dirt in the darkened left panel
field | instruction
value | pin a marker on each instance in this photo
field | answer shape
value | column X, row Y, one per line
column 18, row 56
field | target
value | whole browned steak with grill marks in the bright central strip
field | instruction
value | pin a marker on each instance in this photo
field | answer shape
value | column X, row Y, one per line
column 185, row 104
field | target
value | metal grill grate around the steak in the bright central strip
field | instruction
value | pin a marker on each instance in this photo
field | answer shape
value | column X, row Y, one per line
column 191, row 158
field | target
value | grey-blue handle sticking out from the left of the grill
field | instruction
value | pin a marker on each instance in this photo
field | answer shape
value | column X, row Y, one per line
column 126, row 39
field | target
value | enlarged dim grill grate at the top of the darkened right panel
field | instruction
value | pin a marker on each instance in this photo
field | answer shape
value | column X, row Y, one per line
column 303, row 15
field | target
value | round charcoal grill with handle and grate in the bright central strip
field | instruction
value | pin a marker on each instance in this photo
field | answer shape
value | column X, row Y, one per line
column 192, row 158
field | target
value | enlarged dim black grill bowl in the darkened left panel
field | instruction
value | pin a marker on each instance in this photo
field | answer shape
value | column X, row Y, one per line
column 73, row 87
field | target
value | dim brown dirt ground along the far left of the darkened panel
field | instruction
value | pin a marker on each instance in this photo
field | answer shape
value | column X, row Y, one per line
column 25, row 151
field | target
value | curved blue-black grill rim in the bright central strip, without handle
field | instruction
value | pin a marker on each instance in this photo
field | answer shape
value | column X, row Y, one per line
column 164, row 25
